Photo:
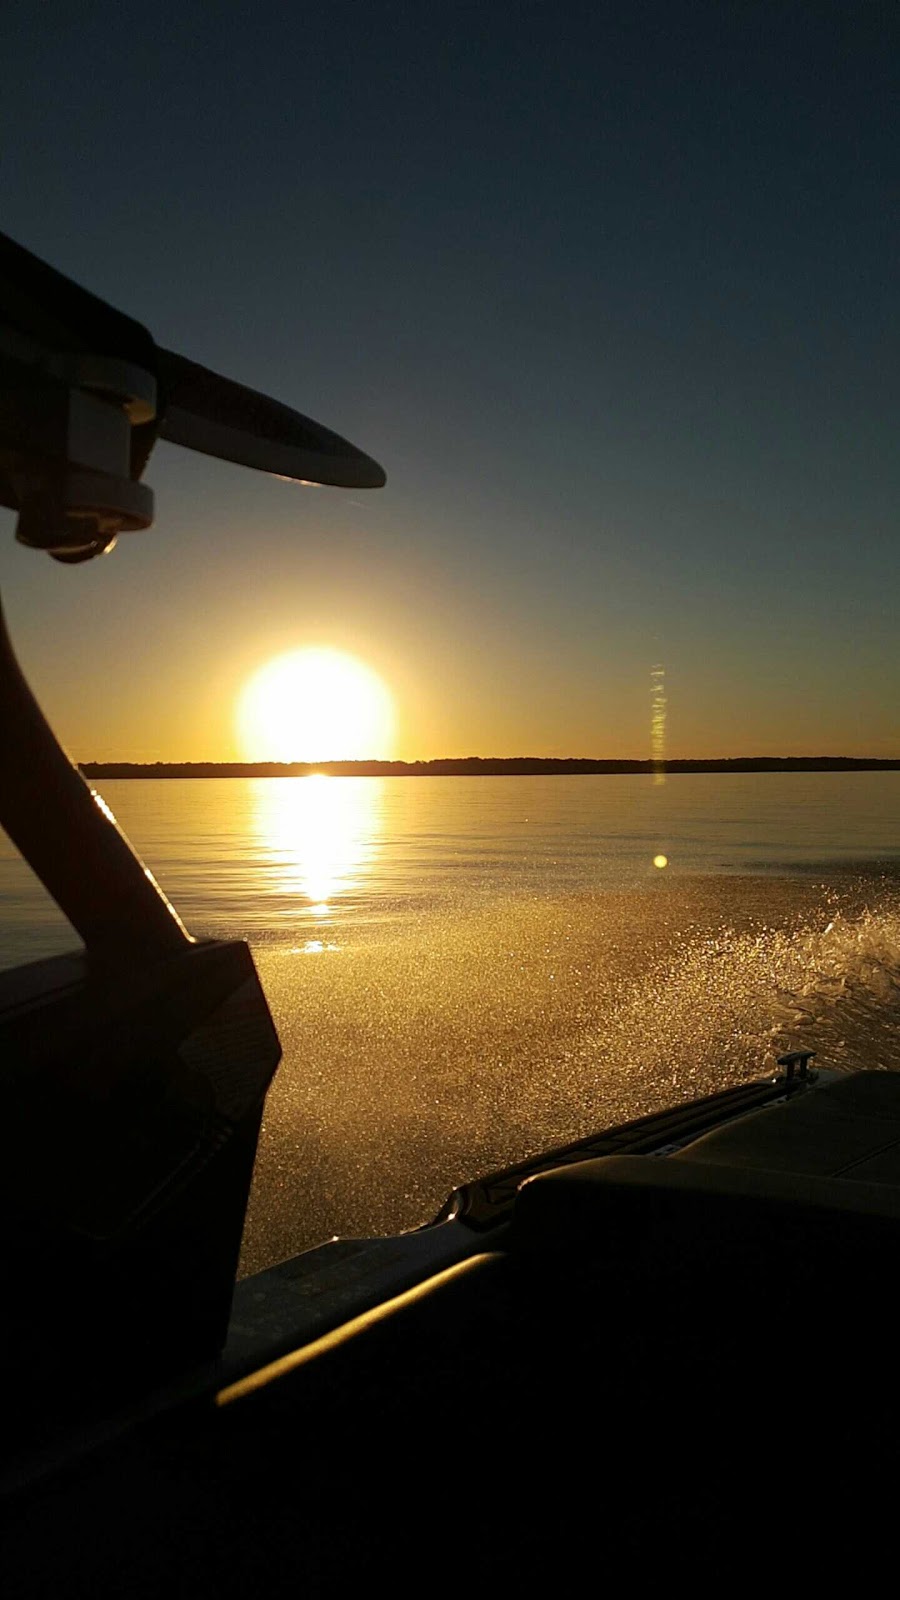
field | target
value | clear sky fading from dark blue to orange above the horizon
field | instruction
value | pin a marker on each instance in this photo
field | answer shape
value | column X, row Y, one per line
column 609, row 290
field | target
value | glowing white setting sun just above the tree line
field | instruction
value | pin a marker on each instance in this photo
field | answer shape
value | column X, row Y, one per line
column 316, row 706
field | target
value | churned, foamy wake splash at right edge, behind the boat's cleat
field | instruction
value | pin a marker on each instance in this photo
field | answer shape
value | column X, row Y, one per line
column 729, row 1002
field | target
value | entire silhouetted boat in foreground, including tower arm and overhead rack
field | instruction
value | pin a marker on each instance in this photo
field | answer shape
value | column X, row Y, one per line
column 661, row 1350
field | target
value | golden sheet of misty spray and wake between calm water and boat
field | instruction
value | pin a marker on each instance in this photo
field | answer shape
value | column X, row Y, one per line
column 459, row 1042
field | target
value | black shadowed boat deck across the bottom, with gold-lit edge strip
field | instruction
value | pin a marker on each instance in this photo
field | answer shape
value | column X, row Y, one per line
column 661, row 1356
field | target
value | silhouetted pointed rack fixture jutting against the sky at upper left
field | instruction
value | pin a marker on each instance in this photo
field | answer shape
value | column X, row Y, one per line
column 86, row 396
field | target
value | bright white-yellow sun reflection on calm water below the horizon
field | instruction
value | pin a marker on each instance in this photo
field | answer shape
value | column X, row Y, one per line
column 319, row 838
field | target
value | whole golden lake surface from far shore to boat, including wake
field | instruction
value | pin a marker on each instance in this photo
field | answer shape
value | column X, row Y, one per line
column 468, row 970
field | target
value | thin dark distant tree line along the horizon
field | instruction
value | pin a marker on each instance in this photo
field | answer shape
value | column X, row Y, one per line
column 484, row 767
